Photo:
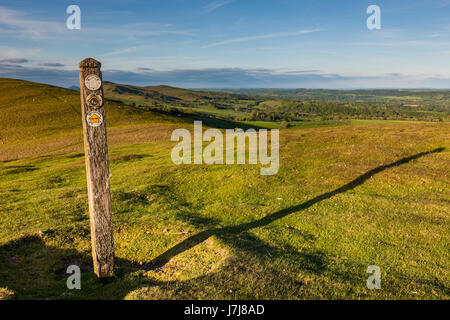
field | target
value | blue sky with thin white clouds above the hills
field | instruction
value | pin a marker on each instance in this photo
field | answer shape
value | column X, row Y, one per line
column 231, row 43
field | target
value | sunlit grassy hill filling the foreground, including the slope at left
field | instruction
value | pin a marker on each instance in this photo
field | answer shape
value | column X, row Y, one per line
column 348, row 194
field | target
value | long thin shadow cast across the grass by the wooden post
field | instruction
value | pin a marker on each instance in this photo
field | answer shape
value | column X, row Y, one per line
column 221, row 232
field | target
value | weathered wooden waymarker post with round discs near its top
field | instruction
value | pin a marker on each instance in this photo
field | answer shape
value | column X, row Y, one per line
column 97, row 169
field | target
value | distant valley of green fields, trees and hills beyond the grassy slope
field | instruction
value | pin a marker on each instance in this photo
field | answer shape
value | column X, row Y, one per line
column 289, row 106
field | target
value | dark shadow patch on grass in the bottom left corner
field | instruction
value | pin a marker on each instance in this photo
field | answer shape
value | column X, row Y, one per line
column 32, row 269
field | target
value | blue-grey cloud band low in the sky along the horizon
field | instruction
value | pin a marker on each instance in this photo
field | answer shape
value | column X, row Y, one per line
column 223, row 78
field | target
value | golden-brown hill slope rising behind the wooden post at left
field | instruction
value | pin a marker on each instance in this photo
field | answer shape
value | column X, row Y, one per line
column 37, row 118
